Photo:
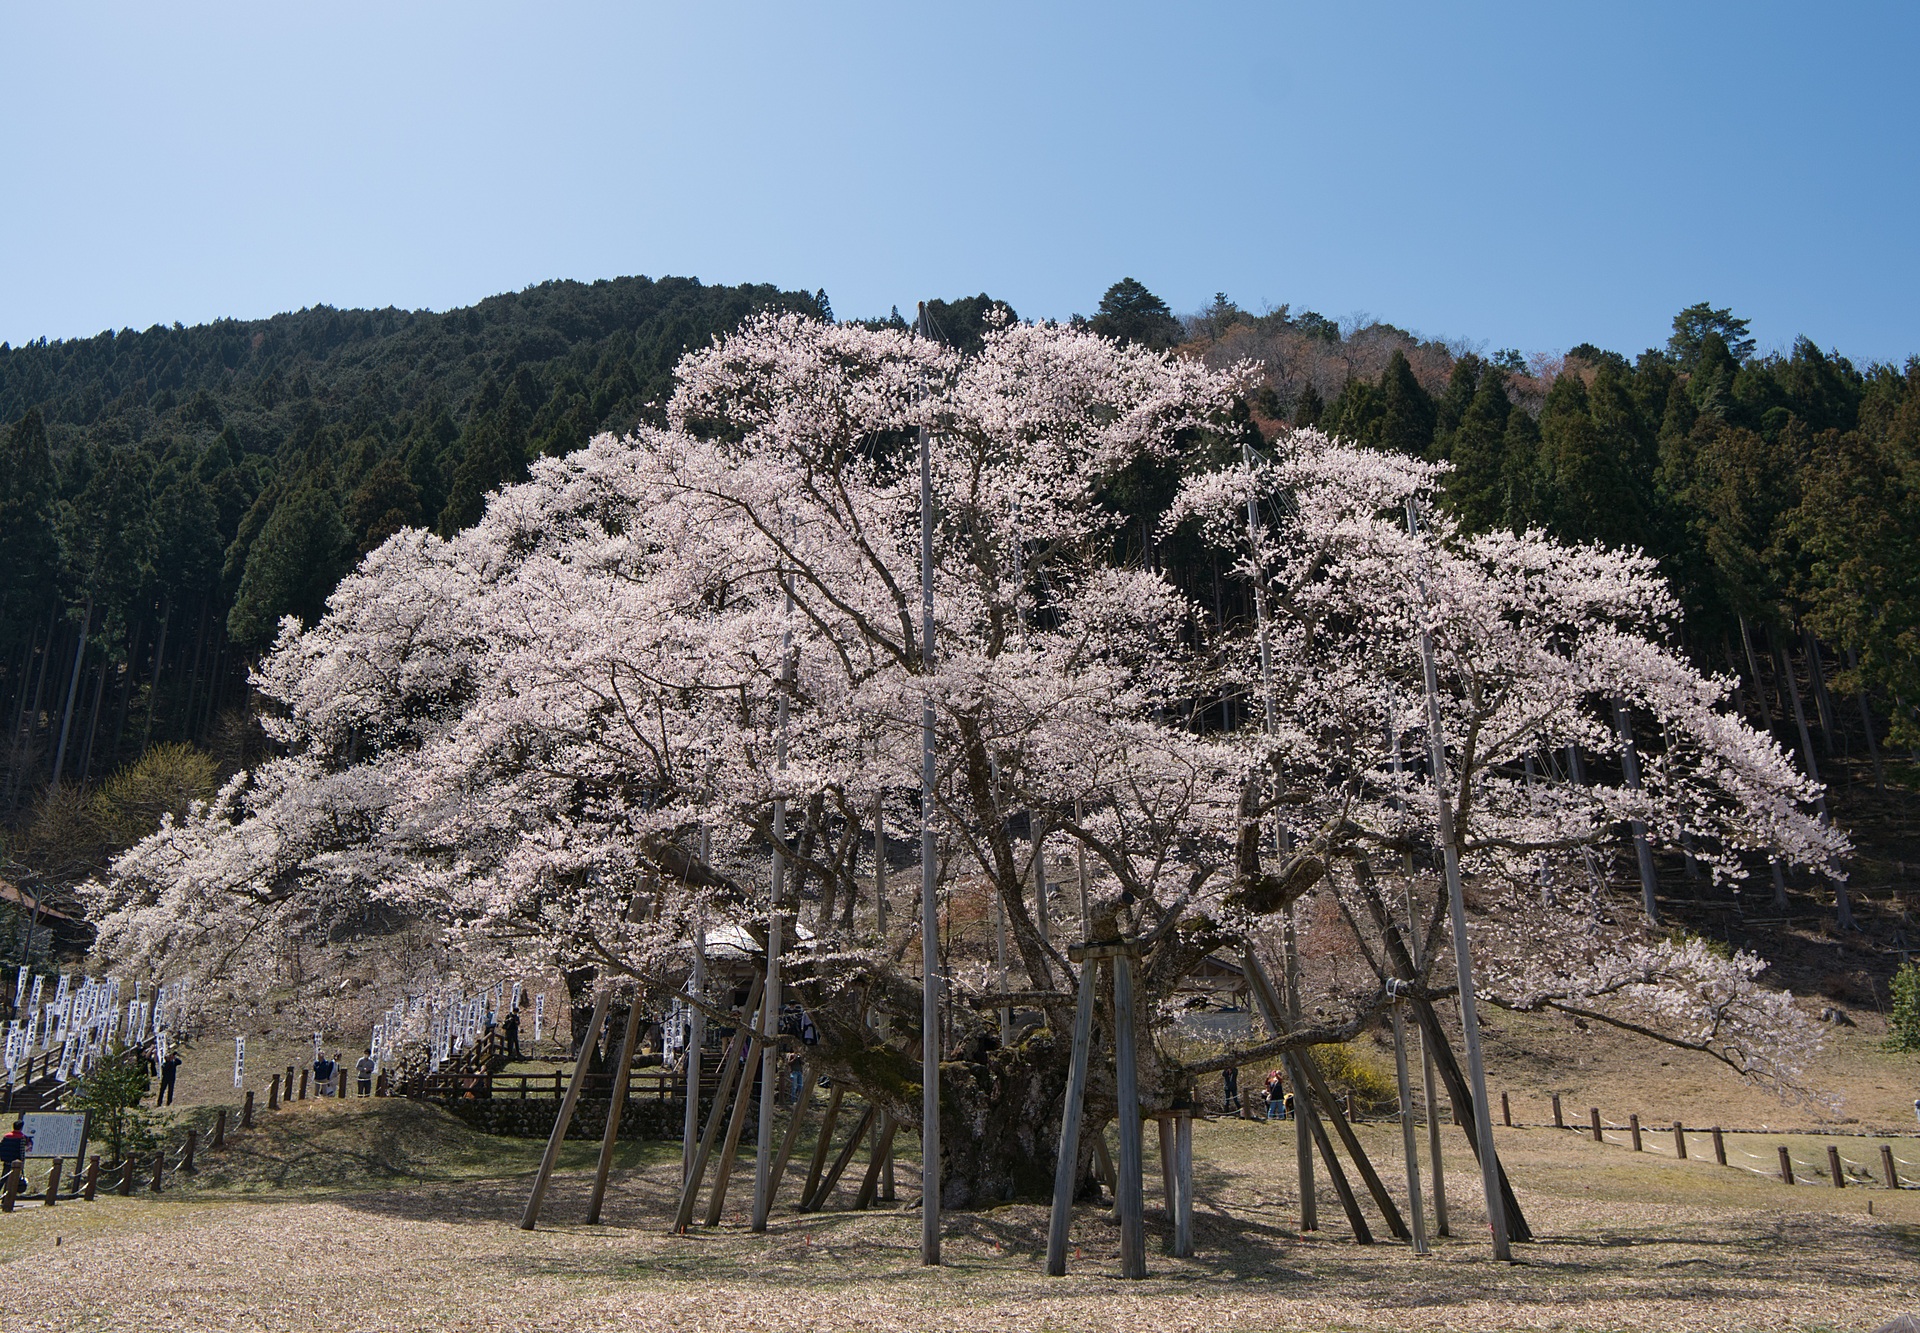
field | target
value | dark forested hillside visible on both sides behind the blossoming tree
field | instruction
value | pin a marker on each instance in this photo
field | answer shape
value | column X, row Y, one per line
column 168, row 497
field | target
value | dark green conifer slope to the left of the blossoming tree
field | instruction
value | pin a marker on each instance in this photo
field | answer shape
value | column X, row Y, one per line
column 180, row 491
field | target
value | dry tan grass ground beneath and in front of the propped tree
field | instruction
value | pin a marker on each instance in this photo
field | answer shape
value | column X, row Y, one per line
column 395, row 1217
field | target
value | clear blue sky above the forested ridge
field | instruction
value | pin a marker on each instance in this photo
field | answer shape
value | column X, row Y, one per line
column 1512, row 176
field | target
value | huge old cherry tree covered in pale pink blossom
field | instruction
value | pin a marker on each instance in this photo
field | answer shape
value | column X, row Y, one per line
column 706, row 637
